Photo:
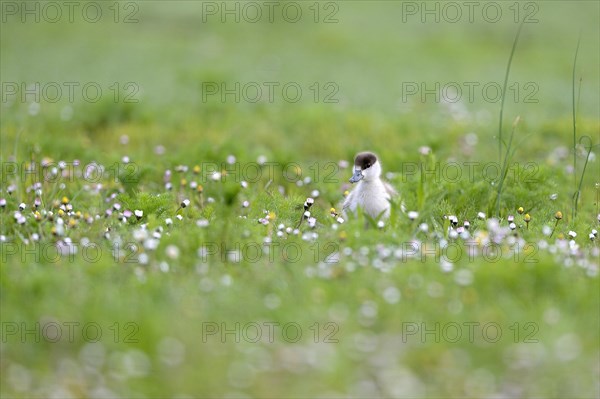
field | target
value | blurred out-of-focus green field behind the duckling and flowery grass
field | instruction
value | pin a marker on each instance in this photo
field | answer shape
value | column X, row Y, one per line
column 370, row 53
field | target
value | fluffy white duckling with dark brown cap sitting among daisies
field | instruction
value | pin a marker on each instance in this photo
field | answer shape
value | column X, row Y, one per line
column 371, row 193
